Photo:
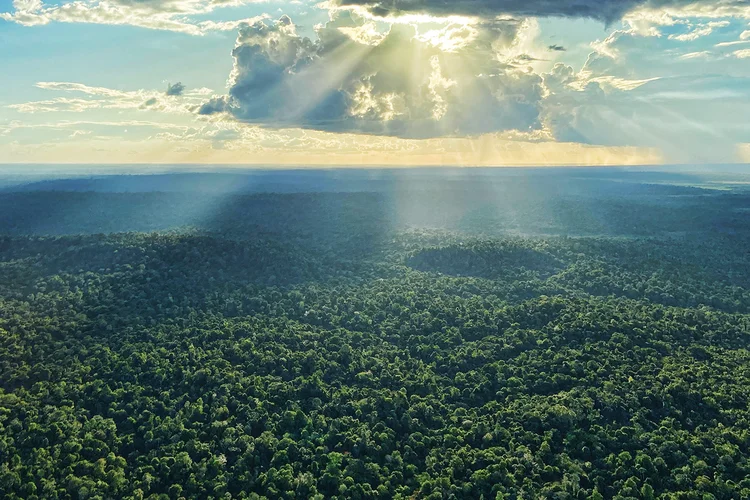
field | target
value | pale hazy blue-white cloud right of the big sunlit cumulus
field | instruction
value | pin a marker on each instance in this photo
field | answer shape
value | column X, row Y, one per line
column 640, row 87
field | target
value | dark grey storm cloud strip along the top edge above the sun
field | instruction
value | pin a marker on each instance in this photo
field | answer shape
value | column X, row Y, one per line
column 603, row 10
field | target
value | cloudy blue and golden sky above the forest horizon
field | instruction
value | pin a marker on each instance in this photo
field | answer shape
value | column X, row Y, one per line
column 375, row 82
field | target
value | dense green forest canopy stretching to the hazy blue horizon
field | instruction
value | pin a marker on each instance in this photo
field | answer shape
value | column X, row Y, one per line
column 565, row 343
